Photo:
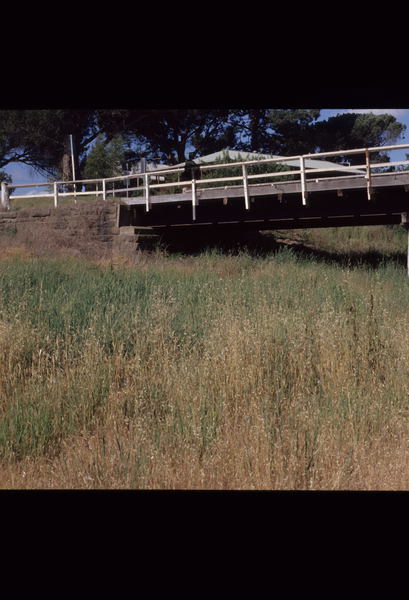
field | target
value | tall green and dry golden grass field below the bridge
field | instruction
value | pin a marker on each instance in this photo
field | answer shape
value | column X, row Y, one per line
column 283, row 370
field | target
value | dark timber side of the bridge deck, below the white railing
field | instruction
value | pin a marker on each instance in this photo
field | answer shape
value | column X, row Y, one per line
column 330, row 202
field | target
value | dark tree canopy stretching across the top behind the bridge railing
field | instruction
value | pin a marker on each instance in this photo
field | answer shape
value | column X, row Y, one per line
column 39, row 137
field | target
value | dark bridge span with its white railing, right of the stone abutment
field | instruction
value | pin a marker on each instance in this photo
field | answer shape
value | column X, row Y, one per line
column 312, row 198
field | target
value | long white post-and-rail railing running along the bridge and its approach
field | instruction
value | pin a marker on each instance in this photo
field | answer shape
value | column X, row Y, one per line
column 367, row 167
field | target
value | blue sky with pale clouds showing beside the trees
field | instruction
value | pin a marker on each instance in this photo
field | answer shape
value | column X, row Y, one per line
column 24, row 174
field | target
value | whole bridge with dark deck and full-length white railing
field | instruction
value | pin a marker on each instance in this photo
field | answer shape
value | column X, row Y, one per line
column 255, row 194
